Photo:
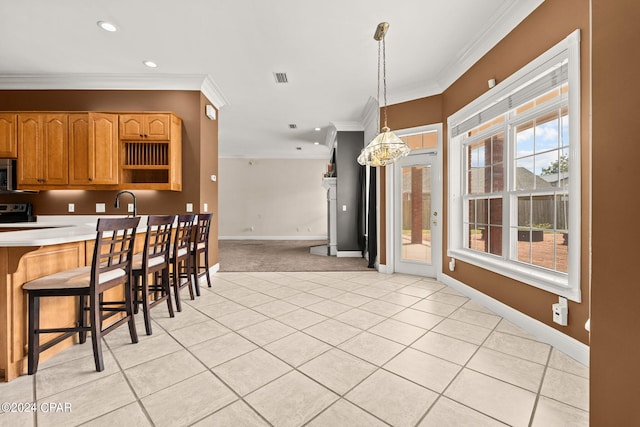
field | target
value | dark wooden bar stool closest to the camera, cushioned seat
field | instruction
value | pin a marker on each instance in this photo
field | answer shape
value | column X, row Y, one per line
column 110, row 267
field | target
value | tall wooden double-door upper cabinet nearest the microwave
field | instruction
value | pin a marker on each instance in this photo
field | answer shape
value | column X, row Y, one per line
column 43, row 150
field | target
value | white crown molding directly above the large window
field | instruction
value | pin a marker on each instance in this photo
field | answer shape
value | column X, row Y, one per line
column 505, row 20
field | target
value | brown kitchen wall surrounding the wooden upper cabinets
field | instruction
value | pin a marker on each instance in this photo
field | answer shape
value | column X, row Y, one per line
column 197, row 160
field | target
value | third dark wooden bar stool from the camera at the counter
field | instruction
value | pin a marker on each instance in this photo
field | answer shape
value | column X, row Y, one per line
column 180, row 257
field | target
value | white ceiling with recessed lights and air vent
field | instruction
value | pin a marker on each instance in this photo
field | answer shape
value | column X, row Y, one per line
column 234, row 46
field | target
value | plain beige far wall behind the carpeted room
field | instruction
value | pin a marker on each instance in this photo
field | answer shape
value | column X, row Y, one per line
column 281, row 199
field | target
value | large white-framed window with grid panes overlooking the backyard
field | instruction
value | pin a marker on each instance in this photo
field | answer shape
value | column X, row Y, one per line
column 514, row 175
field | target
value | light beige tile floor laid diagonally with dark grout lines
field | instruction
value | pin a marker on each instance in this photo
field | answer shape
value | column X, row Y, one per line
column 318, row 349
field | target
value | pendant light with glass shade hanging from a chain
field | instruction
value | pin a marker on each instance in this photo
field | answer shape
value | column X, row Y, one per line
column 386, row 147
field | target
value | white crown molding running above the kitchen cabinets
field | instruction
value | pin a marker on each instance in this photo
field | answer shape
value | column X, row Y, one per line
column 200, row 82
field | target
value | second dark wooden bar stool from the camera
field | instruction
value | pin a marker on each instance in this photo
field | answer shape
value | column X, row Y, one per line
column 154, row 260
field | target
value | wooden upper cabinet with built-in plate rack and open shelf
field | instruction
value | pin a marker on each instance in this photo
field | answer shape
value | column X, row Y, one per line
column 151, row 151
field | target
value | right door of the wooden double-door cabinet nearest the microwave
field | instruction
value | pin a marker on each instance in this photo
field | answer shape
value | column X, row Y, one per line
column 55, row 149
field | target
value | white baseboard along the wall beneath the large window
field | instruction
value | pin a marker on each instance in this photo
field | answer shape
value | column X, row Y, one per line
column 562, row 342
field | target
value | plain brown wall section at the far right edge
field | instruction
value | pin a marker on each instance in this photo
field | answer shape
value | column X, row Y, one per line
column 615, row 290
